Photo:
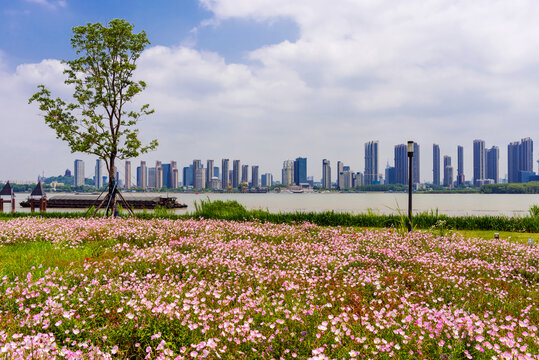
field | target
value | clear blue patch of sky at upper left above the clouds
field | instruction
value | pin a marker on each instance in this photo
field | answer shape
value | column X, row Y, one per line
column 34, row 30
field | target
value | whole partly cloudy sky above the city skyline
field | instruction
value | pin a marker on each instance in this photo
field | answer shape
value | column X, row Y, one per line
column 265, row 81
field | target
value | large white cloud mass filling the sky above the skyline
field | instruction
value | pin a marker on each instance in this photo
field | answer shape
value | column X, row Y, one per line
column 434, row 71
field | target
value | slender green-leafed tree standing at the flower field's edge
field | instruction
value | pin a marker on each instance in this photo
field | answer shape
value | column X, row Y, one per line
column 101, row 120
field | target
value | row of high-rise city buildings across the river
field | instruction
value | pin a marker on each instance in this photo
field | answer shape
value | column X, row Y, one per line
column 485, row 162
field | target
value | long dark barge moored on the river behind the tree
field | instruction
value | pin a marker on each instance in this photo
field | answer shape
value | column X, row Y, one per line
column 80, row 201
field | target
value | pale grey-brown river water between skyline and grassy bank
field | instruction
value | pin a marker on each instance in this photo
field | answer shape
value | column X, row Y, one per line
column 382, row 203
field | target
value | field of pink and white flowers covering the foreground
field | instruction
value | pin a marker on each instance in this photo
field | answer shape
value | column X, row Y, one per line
column 186, row 289
